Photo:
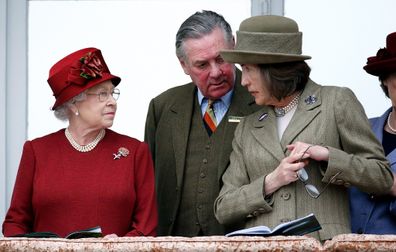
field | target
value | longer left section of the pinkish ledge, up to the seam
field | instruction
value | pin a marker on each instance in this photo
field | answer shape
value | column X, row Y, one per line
column 209, row 243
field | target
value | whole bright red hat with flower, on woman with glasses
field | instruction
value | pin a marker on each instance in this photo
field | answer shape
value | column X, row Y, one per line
column 77, row 72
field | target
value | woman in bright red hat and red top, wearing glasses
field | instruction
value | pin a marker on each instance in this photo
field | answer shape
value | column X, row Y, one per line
column 85, row 175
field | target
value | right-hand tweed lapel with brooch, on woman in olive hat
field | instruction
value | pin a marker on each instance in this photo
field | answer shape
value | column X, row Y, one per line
column 308, row 108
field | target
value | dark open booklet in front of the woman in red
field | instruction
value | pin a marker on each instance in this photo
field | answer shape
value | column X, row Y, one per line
column 86, row 233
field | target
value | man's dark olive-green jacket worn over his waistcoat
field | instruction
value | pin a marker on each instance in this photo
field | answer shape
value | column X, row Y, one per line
column 167, row 130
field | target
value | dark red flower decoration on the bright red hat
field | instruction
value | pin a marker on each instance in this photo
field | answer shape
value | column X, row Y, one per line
column 88, row 67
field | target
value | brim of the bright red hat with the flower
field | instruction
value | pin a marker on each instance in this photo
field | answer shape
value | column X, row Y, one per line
column 74, row 90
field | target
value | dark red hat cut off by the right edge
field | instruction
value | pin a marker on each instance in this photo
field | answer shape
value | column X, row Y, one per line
column 385, row 60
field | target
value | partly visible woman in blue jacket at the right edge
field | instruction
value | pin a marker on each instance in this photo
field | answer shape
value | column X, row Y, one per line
column 370, row 214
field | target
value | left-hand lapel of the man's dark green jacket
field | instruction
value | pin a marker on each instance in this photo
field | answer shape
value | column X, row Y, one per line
column 182, row 112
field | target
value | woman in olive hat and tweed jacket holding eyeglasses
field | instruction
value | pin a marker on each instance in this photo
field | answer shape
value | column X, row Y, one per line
column 308, row 143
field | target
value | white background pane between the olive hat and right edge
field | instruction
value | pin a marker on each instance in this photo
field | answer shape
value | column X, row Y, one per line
column 340, row 35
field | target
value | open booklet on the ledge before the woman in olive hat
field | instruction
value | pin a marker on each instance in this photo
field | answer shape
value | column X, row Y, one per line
column 299, row 226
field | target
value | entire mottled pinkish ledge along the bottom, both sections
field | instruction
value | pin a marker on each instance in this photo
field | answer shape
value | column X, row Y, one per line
column 347, row 242
